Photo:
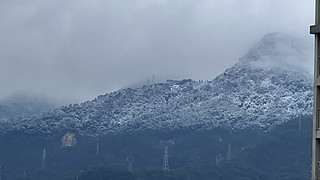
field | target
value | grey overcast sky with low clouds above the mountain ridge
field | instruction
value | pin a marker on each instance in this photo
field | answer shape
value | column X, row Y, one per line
column 78, row 49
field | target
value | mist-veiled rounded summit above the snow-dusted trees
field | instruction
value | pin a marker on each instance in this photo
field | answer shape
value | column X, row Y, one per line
column 278, row 50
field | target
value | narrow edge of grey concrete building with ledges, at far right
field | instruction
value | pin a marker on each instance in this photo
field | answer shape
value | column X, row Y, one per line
column 315, row 29
